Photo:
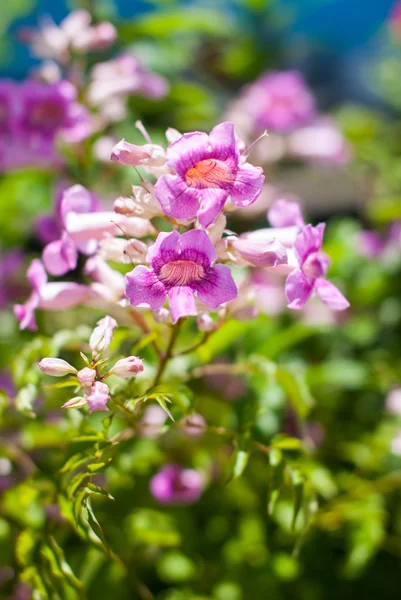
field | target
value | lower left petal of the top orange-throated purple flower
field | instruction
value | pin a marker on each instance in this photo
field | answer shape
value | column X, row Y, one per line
column 176, row 198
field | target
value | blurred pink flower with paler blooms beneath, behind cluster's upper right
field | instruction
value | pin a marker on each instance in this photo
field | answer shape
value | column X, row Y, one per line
column 282, row 104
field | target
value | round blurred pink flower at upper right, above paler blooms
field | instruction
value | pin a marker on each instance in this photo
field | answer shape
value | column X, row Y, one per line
column 279, row 101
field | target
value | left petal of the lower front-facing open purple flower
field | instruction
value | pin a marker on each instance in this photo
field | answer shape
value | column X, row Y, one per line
column 142, row 286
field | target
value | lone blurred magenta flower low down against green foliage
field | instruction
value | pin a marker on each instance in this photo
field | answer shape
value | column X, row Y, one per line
column 174, row 485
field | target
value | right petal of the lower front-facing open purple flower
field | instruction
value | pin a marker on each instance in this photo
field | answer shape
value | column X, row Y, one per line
column 217, row 286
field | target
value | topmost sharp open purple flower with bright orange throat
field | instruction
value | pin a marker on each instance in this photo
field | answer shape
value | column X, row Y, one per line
column 207, row 171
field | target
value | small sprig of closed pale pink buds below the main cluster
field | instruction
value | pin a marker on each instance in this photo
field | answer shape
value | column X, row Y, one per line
column 95, row 392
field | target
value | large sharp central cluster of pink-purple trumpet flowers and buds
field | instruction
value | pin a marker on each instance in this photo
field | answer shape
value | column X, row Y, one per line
column 200, row 177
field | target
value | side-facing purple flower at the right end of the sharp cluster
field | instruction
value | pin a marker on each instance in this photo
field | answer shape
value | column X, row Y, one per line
column 310, row 274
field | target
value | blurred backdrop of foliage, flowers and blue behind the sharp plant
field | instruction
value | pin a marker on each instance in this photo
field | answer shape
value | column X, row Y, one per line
column 322, row 78
